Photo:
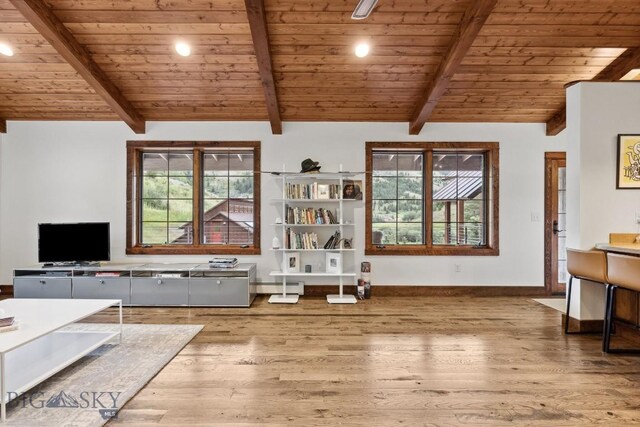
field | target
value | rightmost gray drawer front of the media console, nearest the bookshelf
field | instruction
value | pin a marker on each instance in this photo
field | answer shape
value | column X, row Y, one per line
column 222, row 292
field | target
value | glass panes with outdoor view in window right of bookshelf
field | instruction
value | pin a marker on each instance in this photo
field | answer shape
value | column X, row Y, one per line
column 457, row 199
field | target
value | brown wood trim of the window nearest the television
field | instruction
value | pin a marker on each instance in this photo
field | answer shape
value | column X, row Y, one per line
column 134, row 187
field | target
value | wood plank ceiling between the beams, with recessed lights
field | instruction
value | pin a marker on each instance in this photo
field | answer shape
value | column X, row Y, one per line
column 515, row 69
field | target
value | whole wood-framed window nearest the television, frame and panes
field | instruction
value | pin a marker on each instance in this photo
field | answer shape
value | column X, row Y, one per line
column 193, row 197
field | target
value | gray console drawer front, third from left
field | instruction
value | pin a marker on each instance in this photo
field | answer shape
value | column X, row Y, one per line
column 159, row 291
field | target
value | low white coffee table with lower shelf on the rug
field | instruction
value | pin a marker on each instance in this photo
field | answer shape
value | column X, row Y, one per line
column 37, row 349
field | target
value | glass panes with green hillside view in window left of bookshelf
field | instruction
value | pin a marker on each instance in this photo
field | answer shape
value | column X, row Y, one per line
column 168, row 190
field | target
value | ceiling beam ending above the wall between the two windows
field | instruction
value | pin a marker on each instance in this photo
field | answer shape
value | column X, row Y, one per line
column 260, row 34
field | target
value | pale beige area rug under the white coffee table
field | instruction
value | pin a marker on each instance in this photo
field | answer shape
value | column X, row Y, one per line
column 92, row 390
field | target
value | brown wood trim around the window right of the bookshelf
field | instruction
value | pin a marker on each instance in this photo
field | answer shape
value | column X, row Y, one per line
column 492, row 175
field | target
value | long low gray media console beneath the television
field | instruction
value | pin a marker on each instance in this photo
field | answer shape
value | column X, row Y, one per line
column 142, row 284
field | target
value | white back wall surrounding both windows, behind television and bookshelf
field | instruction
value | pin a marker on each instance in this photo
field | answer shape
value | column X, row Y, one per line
column 76, row 171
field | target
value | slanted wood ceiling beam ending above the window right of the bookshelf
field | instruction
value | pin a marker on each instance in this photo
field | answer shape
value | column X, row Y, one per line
column 472, row 21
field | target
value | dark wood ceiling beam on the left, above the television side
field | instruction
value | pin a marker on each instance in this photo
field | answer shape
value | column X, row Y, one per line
column 54, row 31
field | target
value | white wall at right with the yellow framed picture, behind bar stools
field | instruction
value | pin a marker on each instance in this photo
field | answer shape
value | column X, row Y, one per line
column 597, row 113
